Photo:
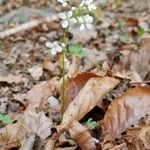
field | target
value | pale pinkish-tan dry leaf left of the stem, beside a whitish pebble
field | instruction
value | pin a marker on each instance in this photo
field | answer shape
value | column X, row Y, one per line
column 39, row 94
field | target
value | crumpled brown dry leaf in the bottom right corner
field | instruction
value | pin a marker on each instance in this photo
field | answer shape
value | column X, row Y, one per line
column 138, row 138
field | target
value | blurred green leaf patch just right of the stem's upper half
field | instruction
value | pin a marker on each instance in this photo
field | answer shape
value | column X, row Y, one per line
column 76, row 49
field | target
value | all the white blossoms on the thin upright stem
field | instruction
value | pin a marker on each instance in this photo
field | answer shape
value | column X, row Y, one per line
column 77, row 16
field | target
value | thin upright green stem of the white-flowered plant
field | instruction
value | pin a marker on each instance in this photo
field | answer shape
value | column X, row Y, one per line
column 63, row 76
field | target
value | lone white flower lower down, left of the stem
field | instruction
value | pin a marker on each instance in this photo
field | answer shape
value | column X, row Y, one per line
column 55, row 47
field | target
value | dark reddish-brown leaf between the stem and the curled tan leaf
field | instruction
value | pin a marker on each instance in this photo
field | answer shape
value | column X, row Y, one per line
column 74, row 85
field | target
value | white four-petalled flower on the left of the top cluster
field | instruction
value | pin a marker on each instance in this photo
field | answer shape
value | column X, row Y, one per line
column 67, row 18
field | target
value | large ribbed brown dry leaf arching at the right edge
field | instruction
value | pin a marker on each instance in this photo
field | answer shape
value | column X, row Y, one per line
column 125, row 111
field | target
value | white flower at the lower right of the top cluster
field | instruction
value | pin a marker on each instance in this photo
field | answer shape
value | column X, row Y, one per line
column 86, row 22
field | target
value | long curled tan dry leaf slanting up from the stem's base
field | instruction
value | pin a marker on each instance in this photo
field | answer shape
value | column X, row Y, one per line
column 87, row 98
